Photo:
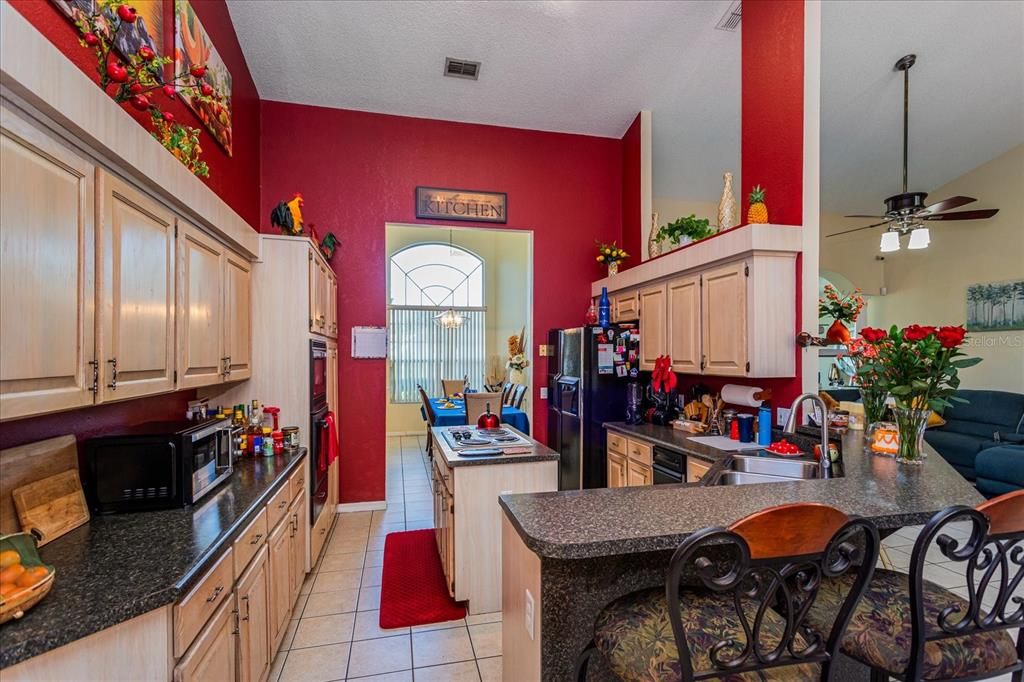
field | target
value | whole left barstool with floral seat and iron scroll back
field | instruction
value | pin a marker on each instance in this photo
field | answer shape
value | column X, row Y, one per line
column 742, row 614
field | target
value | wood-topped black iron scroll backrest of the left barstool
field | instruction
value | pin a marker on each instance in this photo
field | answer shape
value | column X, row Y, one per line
column 775, row 560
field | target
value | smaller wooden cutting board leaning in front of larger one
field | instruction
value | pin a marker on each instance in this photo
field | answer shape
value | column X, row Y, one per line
column 52, row 507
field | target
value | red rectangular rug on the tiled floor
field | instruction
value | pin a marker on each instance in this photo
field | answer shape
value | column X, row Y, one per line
column 413, row 587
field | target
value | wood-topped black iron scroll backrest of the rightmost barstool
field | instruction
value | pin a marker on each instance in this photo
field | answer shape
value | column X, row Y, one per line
column 993, row 559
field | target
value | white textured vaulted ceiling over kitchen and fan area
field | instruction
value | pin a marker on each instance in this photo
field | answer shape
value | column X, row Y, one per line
column 590, row 67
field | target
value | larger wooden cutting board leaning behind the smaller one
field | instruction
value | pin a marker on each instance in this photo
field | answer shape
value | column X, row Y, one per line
column 31, row 463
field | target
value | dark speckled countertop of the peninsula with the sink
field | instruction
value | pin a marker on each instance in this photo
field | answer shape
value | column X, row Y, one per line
column 625, row 521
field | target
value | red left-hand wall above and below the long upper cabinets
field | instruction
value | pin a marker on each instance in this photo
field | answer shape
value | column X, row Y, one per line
column 235, row 179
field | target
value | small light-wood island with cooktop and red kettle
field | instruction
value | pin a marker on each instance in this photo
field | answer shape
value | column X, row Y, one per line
column 470, row 532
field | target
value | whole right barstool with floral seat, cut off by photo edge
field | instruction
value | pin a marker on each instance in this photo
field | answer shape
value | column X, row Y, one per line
column 913, row 629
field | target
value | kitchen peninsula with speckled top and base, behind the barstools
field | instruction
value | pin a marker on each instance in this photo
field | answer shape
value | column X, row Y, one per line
column 567, row 556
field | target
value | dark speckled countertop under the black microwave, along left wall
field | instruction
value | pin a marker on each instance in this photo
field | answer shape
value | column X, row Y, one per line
column 119, row 567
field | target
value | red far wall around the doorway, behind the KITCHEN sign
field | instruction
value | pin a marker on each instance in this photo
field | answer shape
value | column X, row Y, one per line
column 358, row 172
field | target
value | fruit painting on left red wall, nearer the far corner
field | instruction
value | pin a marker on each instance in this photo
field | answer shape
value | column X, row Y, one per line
column 194, row 48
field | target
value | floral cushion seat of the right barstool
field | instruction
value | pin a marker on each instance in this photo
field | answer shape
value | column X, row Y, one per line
column 880, row 630
